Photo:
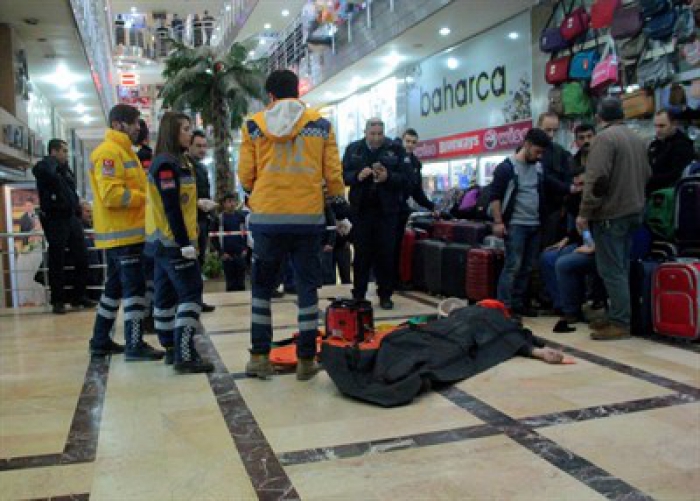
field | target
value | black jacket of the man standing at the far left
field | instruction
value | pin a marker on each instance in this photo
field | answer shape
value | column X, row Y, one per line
column 55, row 182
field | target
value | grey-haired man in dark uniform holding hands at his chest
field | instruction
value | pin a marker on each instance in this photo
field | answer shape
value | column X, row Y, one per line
column 374, row 169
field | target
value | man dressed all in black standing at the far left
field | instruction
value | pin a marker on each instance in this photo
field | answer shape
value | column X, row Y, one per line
column 60, row 218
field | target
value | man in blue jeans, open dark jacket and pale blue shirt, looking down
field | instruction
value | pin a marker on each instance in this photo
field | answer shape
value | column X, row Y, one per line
column 517, row 208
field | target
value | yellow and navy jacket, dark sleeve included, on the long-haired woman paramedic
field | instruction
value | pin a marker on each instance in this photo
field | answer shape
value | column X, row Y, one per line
column 171, row 208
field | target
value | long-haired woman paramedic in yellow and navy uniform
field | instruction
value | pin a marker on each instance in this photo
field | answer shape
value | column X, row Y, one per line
column 171, row 239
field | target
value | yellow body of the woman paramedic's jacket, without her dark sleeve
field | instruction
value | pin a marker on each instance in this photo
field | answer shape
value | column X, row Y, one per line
column 160, row 238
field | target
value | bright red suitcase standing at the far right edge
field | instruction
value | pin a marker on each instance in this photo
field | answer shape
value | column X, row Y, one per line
column 676, row 299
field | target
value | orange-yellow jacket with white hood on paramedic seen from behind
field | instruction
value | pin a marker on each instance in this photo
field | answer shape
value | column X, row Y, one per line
column 287, row 154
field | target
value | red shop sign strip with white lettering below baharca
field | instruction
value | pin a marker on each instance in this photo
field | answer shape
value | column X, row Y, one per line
column 505, row 137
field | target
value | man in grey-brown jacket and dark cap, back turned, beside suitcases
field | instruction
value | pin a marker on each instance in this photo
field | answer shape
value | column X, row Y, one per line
column 613, row 201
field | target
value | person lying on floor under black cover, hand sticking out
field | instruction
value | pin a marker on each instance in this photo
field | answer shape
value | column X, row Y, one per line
column 411, row 359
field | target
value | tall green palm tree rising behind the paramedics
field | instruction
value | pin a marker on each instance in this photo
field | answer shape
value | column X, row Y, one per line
column 218, row 86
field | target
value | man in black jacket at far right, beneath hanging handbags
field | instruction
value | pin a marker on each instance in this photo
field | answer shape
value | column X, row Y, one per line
column 669, row 153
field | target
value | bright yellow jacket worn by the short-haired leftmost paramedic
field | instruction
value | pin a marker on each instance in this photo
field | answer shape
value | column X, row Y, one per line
column 119, row 188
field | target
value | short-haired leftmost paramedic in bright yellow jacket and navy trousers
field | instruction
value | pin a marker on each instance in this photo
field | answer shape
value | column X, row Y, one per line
column 119, row 187
